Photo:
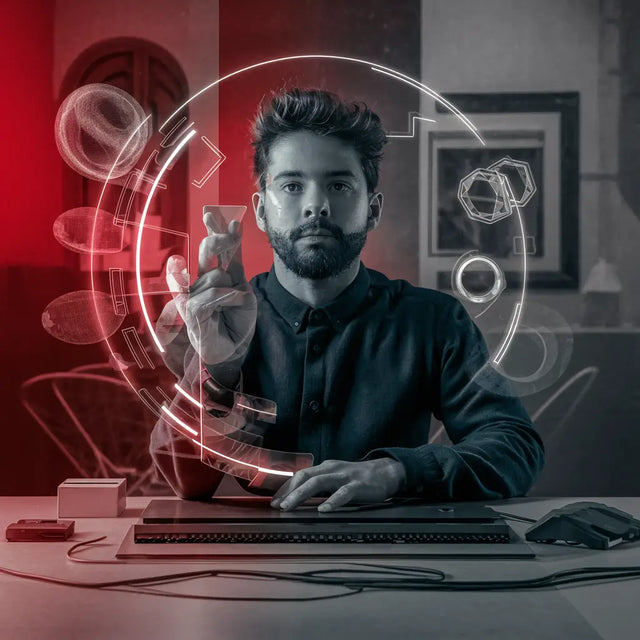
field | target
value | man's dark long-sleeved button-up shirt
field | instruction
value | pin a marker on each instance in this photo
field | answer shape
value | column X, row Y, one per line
column 361, row 378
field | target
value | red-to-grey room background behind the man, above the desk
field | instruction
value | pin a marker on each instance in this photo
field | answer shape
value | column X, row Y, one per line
column 555, row 82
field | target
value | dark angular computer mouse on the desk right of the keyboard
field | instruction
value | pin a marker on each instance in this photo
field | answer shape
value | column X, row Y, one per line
column 593, row 524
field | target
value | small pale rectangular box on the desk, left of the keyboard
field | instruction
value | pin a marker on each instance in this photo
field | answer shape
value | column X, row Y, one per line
column 92, row 497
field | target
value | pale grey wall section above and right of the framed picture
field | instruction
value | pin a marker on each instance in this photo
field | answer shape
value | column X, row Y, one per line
column 524, row 46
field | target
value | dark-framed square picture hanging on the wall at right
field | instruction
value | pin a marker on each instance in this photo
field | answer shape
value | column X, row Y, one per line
column 541, row 129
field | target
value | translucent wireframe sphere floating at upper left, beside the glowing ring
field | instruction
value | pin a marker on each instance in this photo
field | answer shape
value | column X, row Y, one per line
column 101, row 131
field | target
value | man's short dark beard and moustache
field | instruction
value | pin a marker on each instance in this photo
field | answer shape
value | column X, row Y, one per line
column 317, row 261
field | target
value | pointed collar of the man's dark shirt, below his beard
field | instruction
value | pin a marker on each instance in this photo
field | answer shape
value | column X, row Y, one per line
column 296, row 312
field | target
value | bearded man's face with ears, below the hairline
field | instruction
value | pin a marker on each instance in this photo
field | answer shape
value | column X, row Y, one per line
column 315, row 208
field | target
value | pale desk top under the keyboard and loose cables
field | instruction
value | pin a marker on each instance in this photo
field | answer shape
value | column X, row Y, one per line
column 31, row 609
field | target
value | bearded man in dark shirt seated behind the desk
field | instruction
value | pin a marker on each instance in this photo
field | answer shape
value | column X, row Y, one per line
column 356, row 363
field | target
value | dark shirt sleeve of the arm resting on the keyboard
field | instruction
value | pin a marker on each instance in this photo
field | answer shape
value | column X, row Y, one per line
column 496, row 452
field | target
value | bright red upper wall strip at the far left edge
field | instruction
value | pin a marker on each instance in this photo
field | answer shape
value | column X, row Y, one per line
column 30, row 166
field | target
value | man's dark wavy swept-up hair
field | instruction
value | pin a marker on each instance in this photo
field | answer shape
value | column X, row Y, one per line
column 325, row 114
